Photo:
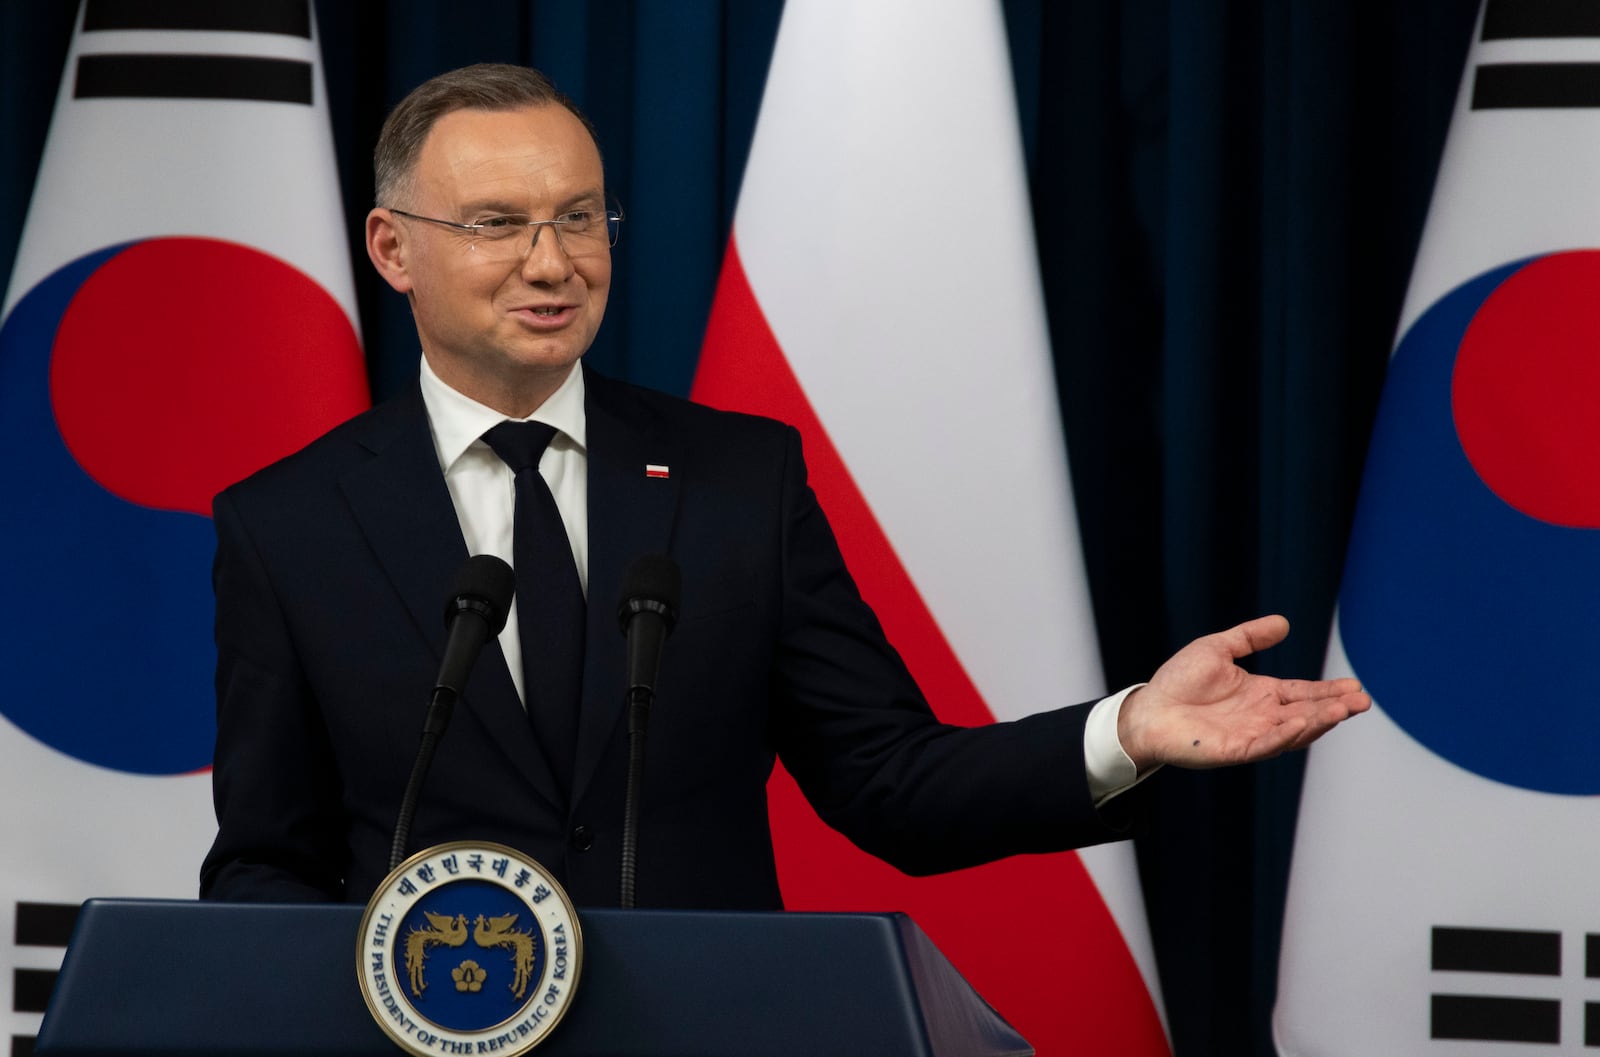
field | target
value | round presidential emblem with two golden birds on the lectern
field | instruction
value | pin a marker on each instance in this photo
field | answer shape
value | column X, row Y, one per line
column 470, row 949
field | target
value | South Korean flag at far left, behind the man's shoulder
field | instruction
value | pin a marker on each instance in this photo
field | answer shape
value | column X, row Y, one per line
column 180, row 314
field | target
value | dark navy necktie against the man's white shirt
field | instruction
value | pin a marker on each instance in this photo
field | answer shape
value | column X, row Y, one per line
column 550, row 599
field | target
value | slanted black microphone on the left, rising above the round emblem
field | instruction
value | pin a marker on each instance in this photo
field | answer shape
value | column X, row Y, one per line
column 474, row 615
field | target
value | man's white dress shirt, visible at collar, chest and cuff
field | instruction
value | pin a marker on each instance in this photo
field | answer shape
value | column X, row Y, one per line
column 486, row 495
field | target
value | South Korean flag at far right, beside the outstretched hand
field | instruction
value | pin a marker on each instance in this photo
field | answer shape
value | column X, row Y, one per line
column 1442, row 898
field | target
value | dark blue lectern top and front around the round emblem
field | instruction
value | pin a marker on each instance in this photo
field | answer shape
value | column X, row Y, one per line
column 190, row 979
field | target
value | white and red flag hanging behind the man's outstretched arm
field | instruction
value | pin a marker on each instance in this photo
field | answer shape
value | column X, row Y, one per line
column 881, row 293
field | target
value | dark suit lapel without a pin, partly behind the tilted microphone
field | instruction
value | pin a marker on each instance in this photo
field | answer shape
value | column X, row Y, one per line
column 404, row 509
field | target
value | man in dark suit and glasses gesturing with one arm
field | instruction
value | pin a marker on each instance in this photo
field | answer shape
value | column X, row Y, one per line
column 334, row 567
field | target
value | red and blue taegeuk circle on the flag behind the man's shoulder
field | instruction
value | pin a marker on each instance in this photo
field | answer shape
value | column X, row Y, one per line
column 135, row 385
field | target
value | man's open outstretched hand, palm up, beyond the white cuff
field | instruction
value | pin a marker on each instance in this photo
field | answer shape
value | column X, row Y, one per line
column 1202, row 711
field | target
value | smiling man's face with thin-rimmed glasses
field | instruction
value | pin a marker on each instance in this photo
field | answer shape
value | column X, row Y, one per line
column 503, row 332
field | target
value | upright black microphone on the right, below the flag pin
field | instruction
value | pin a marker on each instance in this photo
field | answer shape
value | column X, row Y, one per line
column 650, row 608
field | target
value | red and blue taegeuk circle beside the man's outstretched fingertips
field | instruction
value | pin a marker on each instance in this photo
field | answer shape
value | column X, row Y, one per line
column 1471, row 599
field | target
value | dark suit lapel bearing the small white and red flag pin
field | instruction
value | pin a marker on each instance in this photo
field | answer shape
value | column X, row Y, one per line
column 631, row 516
